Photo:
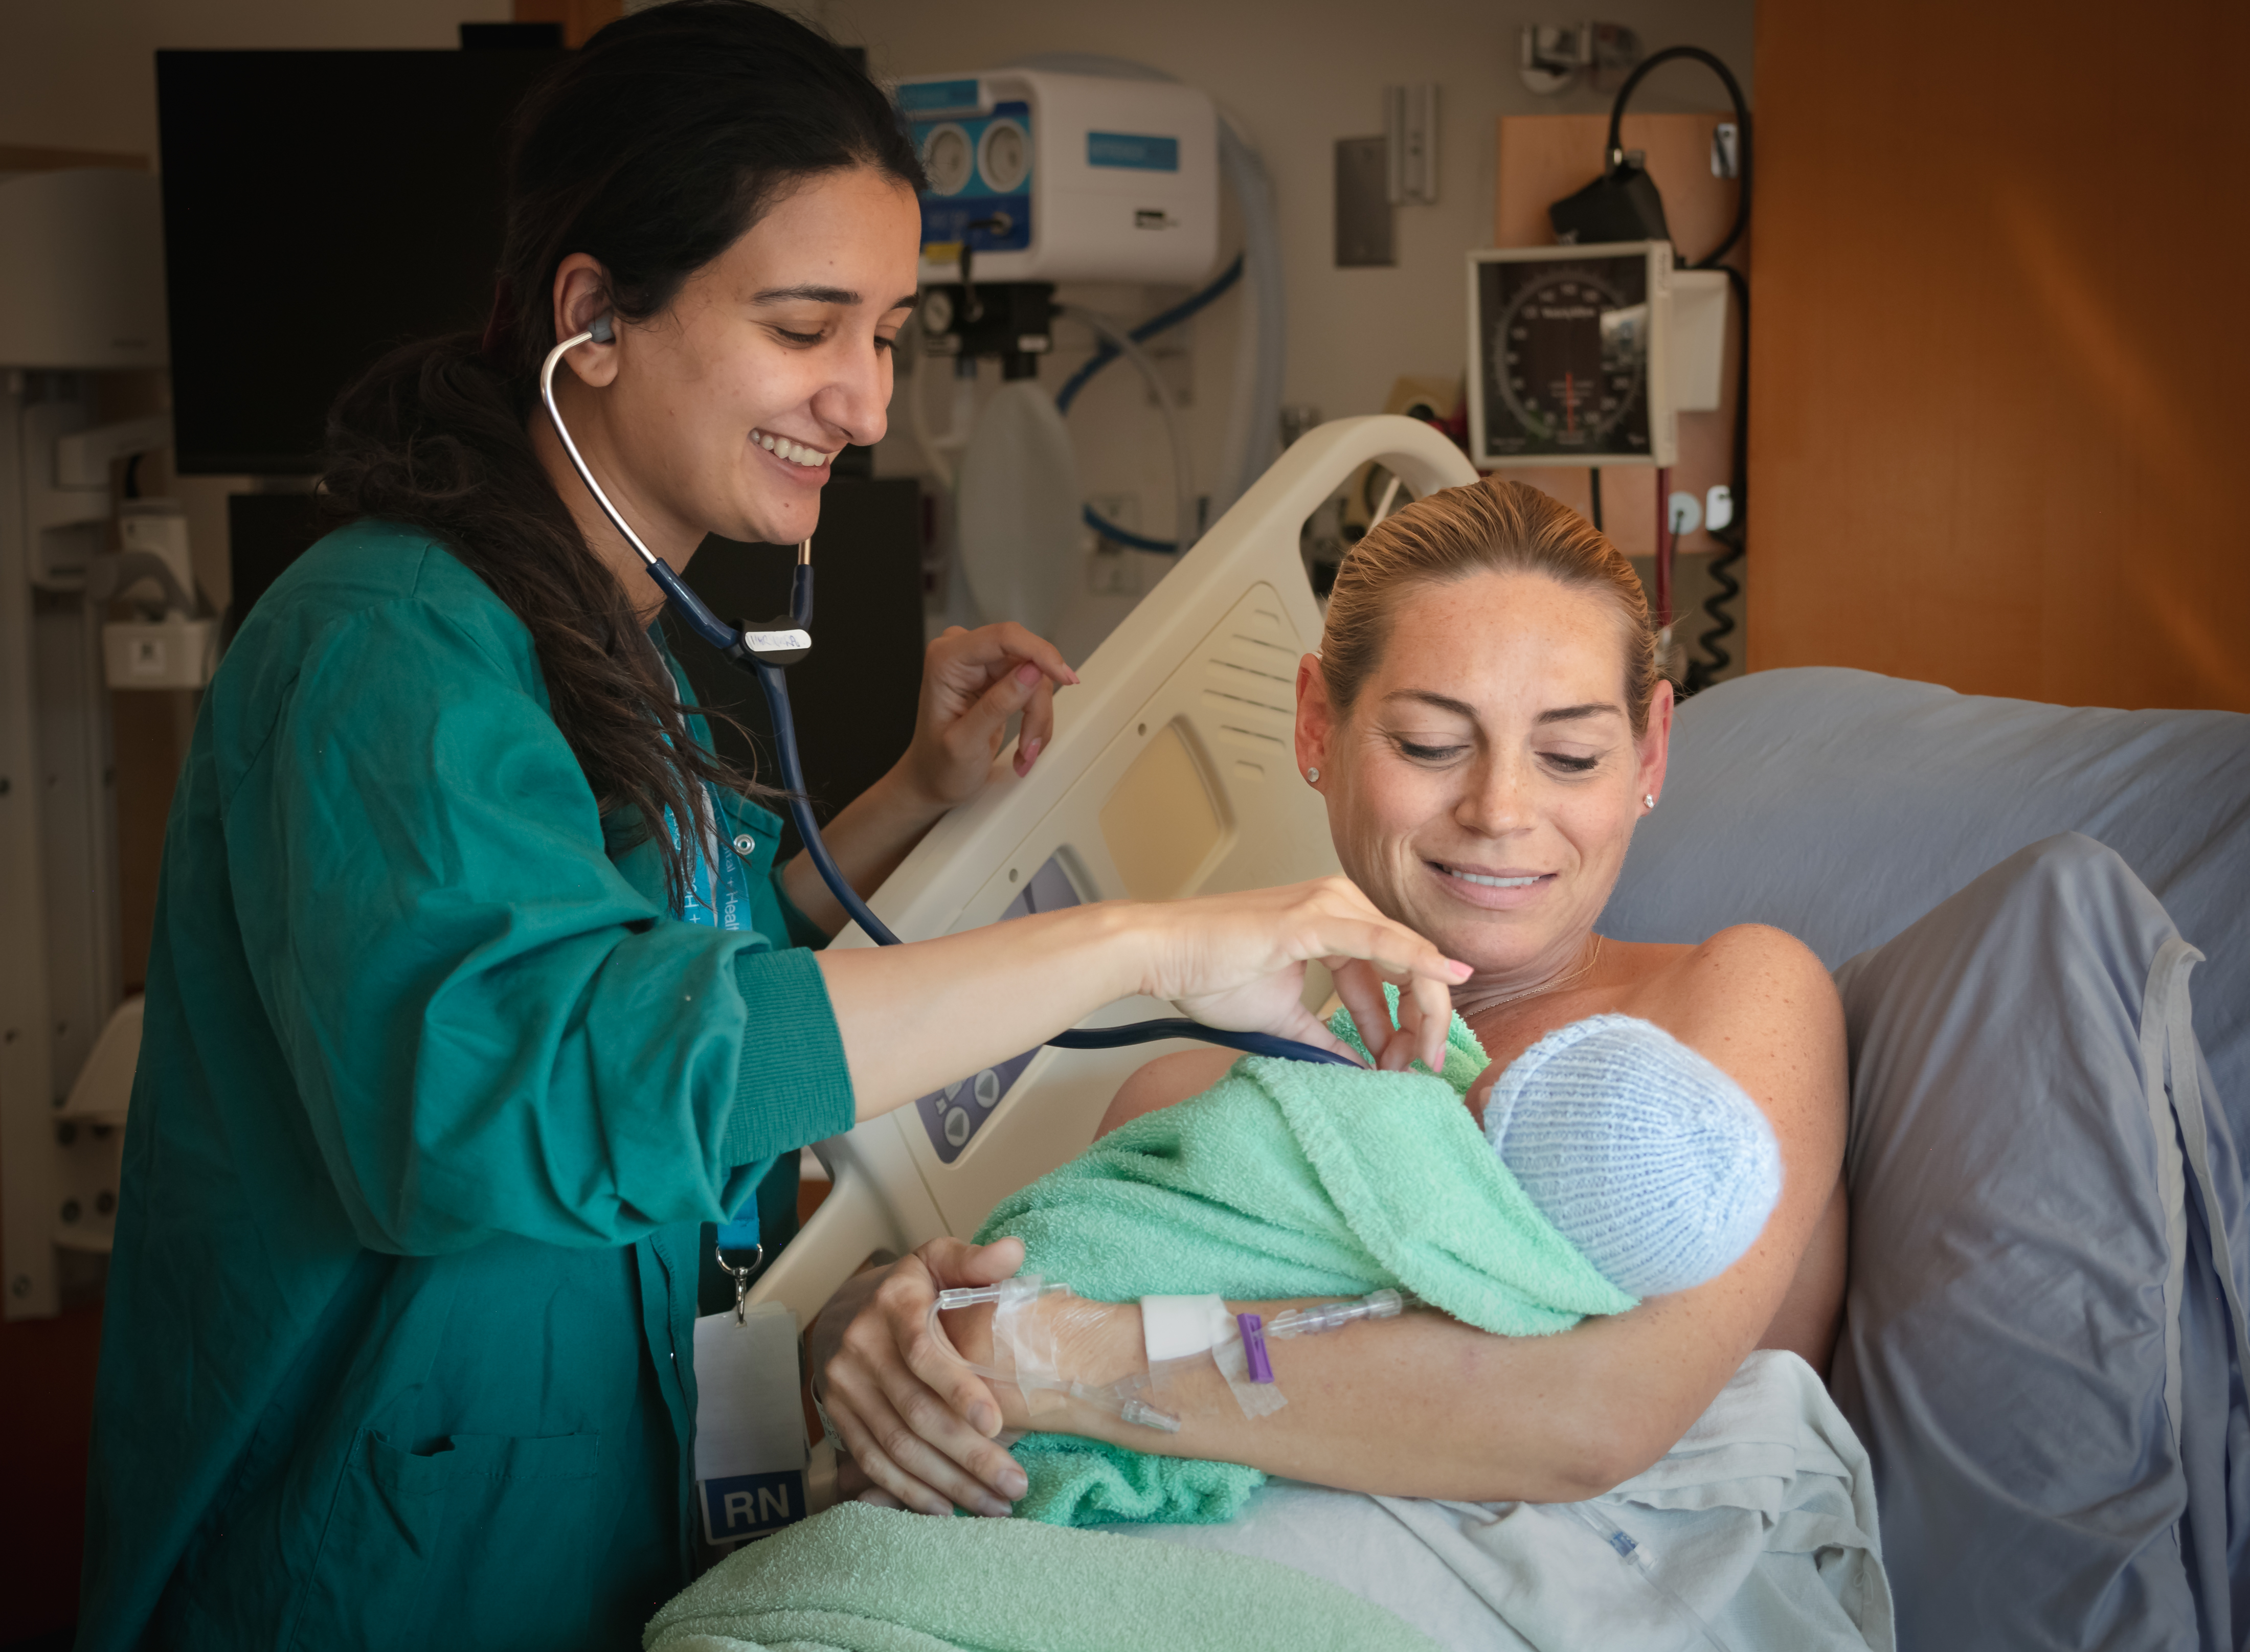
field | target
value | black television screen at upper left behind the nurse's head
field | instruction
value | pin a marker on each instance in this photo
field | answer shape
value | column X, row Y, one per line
column 321, row 208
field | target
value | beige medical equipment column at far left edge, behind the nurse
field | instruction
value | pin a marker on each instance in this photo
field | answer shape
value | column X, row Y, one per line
column 82, row 291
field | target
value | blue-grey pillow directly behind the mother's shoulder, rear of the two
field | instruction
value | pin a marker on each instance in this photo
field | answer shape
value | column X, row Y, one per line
column 1842, row 807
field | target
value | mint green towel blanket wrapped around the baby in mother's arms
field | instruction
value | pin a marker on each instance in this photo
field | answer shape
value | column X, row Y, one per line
column 1286, row 1180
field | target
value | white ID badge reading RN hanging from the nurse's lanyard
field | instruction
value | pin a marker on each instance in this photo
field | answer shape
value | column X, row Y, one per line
column 750, row 1428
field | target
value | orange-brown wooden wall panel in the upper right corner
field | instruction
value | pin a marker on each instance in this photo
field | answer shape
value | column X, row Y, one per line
column 1999, row 359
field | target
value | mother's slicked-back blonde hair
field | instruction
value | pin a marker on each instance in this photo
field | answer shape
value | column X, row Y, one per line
column 1479, row 528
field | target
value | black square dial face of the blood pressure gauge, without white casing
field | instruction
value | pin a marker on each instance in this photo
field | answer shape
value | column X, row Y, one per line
column 1565, row 345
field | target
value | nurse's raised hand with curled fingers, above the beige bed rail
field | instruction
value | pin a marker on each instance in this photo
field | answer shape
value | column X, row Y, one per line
column 973, row 683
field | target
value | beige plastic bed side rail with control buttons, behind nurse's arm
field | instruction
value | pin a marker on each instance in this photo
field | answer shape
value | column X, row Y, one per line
column 1171, row 773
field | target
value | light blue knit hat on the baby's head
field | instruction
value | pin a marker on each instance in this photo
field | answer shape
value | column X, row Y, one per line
column 1641, row 1151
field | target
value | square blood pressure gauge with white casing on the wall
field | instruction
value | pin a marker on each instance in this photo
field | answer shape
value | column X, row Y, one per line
column 1569, row 354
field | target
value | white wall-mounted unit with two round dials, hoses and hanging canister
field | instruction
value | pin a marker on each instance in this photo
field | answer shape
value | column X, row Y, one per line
column 1074, row 170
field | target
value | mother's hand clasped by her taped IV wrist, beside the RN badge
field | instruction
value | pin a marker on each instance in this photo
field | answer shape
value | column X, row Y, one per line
column 912, row 1417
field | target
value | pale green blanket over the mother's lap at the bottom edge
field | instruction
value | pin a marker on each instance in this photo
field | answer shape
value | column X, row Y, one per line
column 883, row 1581
